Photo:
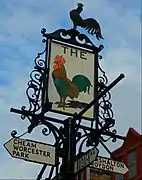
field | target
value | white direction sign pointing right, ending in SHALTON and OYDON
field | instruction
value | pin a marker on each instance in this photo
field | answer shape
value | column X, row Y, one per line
column 107, row 164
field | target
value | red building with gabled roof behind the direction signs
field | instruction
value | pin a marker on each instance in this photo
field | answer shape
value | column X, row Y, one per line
column 131, row 154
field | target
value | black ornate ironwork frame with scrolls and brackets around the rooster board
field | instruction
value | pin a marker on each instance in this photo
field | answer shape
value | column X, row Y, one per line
column 84, row 136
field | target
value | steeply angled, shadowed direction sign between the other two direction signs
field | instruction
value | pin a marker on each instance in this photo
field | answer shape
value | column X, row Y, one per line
column 86, row 159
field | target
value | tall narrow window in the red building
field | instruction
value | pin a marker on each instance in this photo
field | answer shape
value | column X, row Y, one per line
column 132, row 164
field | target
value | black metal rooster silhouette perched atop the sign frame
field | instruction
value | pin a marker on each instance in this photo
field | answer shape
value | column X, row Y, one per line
column 90, row 24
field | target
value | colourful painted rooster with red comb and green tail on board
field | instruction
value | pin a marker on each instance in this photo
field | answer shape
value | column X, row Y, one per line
column 66, row 87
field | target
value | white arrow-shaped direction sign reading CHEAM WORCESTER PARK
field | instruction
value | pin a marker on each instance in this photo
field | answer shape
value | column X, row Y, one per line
column 31, row 151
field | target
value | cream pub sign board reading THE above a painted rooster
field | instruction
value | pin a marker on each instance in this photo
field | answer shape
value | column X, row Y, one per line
column 71, row 78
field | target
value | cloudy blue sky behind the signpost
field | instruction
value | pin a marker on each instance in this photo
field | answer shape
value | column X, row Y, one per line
column 20, row 41
